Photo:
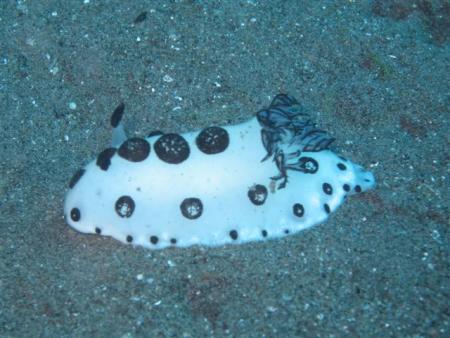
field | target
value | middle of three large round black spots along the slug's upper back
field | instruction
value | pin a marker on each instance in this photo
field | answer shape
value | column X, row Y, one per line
column 172, row 148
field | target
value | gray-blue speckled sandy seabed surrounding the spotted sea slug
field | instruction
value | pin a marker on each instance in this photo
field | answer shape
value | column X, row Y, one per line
column 374, row 74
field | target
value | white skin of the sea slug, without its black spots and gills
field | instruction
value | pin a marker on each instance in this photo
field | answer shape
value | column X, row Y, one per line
column 222, row 182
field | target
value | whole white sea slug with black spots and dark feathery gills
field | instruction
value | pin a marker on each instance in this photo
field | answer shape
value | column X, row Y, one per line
column 271, row 176
